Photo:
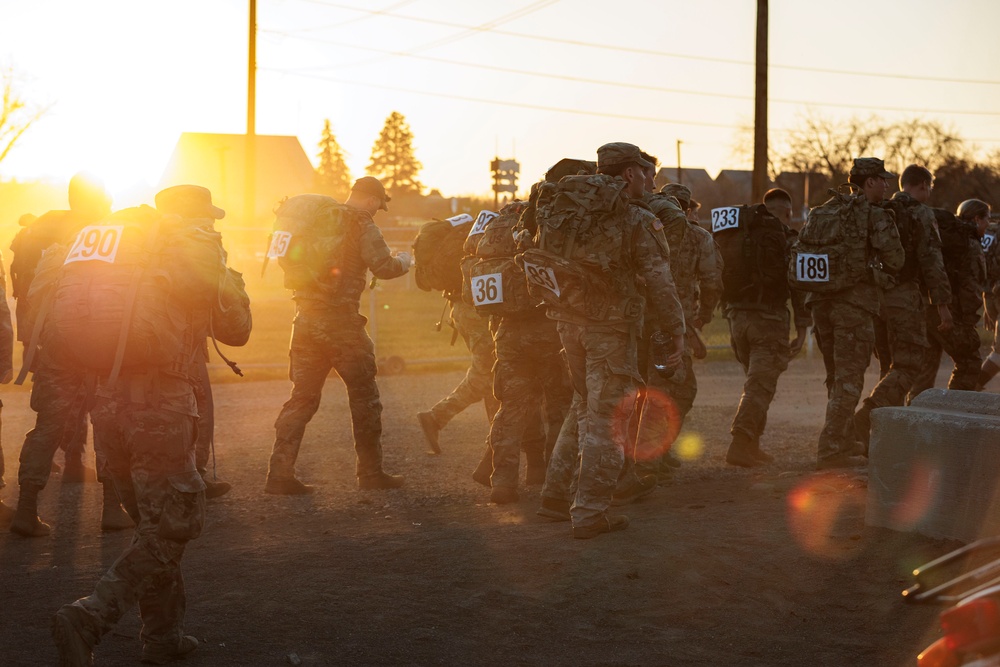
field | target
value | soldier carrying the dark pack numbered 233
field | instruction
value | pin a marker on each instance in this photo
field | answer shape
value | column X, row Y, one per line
column 758, row 329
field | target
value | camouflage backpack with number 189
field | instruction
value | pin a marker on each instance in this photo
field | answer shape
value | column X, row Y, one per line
column 832, row 252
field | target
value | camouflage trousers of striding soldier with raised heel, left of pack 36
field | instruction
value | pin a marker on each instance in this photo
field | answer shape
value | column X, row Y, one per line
column 477, row 385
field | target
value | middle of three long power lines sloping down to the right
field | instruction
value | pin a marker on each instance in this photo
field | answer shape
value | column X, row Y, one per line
column 618, row 84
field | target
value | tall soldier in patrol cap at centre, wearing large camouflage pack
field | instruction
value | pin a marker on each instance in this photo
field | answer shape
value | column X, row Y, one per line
column 601, row 353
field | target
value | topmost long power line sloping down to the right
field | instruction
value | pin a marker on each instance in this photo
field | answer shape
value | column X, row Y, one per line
column 652, row 52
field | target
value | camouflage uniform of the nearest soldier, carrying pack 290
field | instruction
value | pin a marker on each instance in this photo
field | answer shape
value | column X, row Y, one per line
column 144, row 429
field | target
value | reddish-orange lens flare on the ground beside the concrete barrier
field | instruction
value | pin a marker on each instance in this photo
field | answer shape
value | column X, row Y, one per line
column 816, row 507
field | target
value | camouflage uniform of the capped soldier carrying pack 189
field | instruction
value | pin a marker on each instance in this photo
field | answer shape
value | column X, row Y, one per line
column 846, row 336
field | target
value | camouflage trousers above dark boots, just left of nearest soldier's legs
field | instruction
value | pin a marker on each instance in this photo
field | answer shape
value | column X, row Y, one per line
column 59, row 399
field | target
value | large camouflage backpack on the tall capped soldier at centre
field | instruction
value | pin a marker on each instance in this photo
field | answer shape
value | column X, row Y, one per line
column 577, row 265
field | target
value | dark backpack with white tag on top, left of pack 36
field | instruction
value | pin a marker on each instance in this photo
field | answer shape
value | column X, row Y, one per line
column 437, row 253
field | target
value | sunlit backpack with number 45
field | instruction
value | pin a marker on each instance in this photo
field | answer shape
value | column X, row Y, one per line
column 308, row 239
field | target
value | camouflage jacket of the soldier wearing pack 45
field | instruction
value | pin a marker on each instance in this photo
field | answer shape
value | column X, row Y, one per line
column 365, row 250
